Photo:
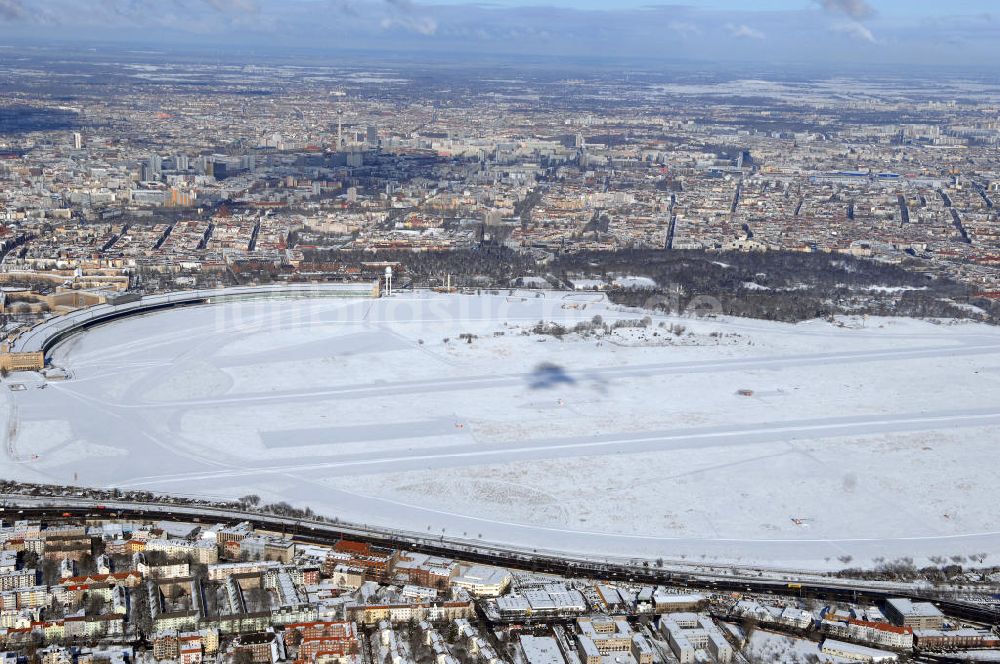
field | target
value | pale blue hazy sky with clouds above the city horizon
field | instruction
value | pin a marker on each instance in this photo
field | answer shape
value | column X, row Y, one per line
column 917, row 32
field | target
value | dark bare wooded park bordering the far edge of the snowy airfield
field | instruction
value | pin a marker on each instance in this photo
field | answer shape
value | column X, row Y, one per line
column 776, row 285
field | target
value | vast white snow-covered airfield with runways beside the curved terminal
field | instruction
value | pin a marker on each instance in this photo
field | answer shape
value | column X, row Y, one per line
column 870, row 439
